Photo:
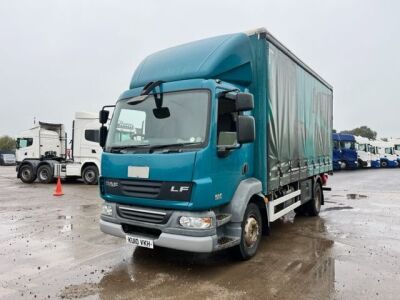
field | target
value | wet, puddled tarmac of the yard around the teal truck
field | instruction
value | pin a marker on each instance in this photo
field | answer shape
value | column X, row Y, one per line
column 51, row 247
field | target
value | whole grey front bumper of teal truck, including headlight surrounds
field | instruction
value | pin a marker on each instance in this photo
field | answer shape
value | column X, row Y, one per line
column 169, row 233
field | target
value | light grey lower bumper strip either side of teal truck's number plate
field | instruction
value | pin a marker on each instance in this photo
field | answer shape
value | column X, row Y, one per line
column 203, row 244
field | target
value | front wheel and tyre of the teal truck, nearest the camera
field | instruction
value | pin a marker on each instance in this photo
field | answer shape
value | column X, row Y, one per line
column 251, row 232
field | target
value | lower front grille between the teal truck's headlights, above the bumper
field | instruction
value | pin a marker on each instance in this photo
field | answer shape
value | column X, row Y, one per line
column 142, row 215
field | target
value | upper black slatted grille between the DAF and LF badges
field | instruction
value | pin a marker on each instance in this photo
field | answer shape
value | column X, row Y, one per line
column 140, row 188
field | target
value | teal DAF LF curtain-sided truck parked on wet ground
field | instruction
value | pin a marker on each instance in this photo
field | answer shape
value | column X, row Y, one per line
column 213, row 141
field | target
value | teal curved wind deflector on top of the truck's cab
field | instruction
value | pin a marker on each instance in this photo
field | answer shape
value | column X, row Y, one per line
column 225, row 57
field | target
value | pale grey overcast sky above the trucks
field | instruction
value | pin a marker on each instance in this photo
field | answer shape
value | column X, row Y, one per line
column 59, row 57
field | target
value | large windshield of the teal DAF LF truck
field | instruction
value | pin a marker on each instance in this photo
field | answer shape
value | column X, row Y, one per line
column 136, row 125
